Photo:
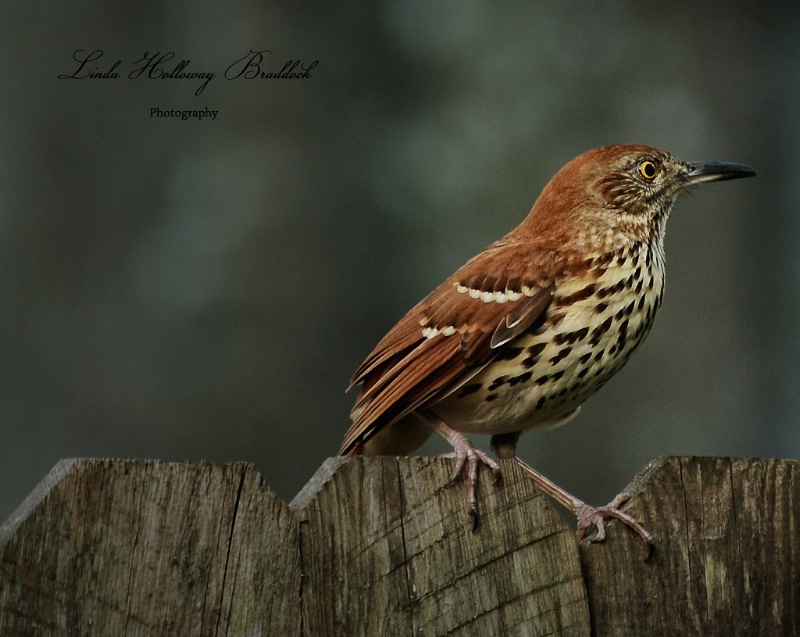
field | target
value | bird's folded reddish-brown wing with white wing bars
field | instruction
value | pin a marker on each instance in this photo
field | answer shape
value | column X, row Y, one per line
column 447, row 338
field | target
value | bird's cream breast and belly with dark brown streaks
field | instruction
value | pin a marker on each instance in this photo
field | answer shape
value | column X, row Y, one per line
column 593, row 325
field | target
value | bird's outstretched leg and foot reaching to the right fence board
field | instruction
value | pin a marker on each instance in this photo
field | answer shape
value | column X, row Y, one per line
column 588, row 516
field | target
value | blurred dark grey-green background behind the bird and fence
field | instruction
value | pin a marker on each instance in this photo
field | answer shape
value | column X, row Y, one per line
column 190, row 290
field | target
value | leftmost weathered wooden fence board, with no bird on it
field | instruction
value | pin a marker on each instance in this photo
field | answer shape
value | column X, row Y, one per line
column 147, row 548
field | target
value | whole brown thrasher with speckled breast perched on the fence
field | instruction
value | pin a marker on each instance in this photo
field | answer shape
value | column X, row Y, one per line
column 532, row 326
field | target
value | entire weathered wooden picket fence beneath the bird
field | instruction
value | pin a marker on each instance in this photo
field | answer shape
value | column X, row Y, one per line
column 380, row 546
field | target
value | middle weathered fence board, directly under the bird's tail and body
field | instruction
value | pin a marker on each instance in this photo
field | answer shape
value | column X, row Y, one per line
column 399, row 556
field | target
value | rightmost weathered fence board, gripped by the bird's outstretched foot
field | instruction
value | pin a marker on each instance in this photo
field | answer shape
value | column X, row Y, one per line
column 727, row 560
